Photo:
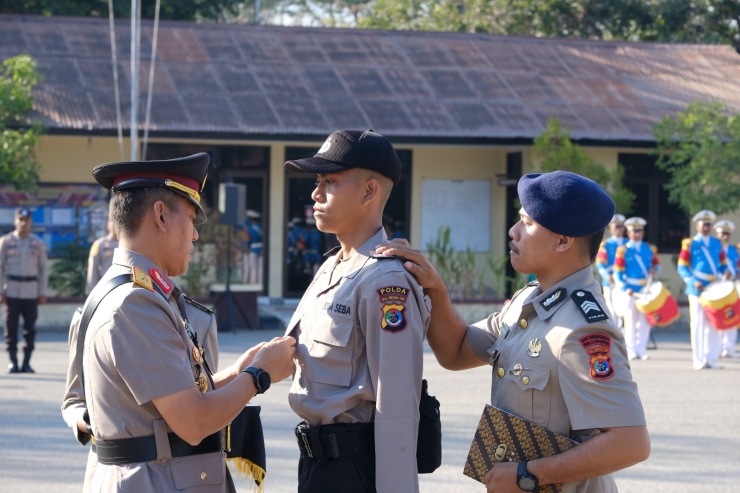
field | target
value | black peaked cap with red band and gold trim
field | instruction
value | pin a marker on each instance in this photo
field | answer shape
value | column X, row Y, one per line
column 184, row 176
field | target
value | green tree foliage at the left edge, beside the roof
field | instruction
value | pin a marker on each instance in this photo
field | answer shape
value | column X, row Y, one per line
column 18, row 167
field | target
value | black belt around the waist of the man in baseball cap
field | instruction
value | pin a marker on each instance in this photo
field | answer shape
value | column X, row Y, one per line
column 335, row 441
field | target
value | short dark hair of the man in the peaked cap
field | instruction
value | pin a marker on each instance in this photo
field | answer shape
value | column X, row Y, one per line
column 128, row 207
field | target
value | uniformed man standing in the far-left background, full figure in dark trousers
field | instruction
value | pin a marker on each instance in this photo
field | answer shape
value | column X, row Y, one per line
column 23, row 280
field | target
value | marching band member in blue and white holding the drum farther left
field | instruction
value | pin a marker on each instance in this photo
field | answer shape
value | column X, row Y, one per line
column 635, row 264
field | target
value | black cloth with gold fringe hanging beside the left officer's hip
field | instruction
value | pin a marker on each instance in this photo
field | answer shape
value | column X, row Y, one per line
column 246, row 445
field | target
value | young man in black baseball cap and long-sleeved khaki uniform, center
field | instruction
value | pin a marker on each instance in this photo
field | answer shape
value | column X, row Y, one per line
column 360, row 329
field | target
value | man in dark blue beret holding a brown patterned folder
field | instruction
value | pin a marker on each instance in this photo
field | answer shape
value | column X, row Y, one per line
column 557, row 357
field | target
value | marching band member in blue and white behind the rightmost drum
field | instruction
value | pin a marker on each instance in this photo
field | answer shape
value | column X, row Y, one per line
column 701, row 261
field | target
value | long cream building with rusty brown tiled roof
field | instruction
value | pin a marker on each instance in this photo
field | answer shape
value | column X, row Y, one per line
column 462, row 109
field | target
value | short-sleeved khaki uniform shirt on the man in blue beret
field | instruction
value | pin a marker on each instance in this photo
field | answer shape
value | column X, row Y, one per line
column 579, row 380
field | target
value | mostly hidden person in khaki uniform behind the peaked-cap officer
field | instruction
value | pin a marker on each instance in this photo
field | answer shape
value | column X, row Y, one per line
column 74, row 406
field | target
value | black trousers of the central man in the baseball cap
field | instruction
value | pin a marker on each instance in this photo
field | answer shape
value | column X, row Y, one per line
column 353, row 474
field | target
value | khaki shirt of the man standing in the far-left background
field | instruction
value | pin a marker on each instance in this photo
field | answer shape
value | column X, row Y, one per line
column 25, row 258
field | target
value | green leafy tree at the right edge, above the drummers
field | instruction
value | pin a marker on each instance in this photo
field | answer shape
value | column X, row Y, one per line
column 700, row 148
